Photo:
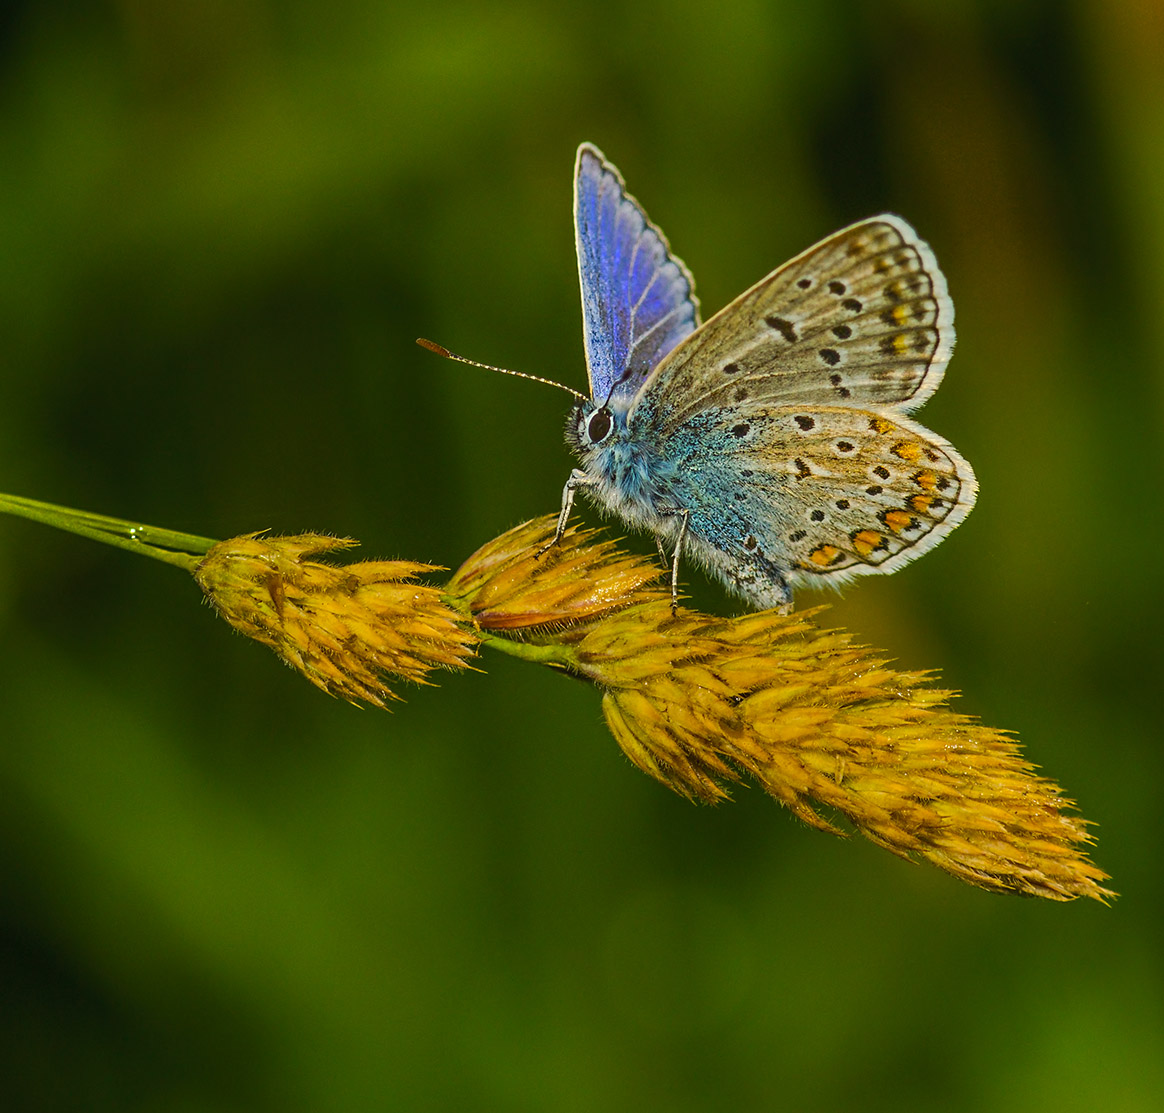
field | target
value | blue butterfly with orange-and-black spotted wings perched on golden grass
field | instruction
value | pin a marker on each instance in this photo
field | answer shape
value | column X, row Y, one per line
column 772, row 444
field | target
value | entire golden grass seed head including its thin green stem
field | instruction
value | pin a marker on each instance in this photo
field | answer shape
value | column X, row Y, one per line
column 698, row 703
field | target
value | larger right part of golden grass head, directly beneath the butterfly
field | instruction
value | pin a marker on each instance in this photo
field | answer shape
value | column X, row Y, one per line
column 699, row 703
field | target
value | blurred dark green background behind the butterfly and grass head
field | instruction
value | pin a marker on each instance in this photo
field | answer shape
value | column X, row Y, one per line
column 223, row 224
